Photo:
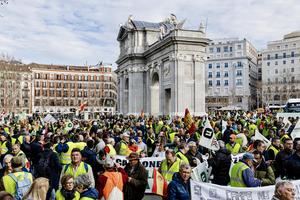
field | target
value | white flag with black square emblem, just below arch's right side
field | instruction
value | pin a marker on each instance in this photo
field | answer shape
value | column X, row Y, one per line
column 208, row 138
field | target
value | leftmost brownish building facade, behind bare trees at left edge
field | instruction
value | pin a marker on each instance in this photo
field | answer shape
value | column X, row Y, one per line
column 15, row 87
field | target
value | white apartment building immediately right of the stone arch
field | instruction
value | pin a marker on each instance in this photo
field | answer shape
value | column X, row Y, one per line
column 231, row 74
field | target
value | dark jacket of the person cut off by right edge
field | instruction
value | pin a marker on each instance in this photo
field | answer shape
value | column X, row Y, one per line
column 292, row 166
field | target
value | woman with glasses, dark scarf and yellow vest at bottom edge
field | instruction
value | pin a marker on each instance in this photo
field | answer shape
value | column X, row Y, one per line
column 67, row 191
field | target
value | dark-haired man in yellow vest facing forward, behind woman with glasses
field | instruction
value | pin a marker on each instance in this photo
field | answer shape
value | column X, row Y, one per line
column 77, row 167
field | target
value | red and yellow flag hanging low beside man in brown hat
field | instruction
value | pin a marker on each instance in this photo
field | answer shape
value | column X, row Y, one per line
column 160, row 185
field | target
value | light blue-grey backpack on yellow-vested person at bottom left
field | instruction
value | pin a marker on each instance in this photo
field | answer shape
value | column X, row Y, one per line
column 21, row 186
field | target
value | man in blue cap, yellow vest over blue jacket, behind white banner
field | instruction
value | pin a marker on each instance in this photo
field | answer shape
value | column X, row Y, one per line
column 241, row 174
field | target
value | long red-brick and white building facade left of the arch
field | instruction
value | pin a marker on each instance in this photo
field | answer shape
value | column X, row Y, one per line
column 62, row 89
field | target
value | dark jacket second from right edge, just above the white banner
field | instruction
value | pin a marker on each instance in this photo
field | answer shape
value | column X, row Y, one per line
column 281, row 157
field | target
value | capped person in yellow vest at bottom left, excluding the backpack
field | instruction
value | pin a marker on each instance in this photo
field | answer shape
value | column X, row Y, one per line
column 10, row 180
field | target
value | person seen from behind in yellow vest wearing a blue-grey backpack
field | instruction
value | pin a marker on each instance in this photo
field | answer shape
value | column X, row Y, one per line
column 18, row 182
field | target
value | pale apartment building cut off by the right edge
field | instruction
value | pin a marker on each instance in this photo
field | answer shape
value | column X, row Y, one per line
column 281, row 70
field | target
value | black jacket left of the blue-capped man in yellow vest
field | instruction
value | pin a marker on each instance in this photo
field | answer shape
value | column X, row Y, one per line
column 220, row 164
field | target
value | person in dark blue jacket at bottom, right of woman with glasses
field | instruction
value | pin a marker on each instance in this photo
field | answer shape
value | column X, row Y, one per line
column 83, row 186
